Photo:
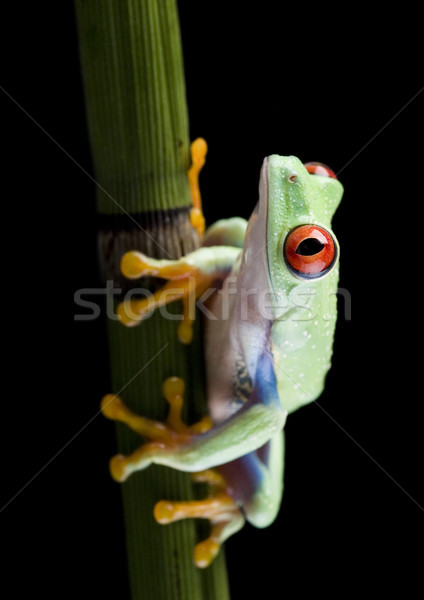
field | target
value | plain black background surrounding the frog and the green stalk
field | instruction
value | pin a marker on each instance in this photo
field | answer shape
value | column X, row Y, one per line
column 269, row 78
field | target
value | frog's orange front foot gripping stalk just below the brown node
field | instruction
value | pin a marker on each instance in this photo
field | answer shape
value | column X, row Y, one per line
column 189, row 277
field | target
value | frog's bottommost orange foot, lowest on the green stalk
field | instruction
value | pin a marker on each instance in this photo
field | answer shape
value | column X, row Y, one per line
column 219, row 508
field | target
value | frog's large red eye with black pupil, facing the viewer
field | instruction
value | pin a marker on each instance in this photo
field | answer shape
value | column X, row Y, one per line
column 310, row 251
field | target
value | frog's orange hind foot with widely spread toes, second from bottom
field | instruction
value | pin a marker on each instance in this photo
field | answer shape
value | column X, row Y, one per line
column 164, row 438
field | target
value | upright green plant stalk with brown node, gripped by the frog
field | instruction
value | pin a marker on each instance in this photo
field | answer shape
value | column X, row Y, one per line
column 135, row 97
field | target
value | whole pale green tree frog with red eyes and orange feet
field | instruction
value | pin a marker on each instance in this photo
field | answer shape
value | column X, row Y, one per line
column 268, row 345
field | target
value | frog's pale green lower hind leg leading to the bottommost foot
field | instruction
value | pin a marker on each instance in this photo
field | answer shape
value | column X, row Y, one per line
column 263, row 506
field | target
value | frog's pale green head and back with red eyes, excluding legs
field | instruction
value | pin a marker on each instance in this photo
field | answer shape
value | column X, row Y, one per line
column 297, row 203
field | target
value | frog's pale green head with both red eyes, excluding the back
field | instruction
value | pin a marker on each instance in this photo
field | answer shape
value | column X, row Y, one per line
column 300, row 201
